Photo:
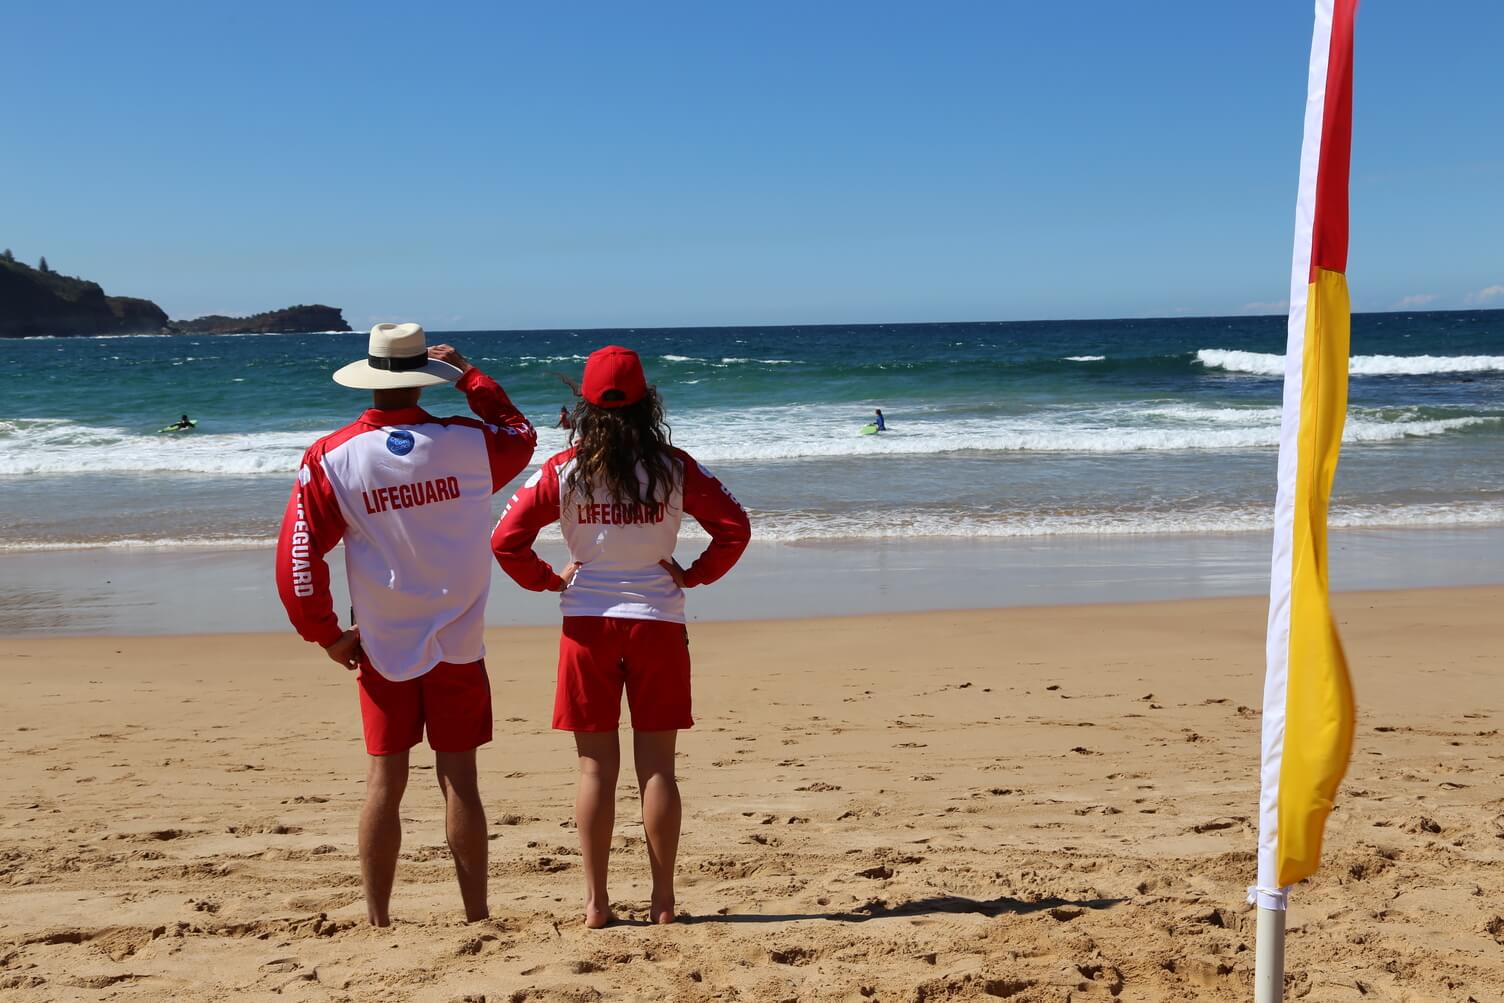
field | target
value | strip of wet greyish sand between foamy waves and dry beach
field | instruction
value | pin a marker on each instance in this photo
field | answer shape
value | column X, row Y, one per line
column 129, row 592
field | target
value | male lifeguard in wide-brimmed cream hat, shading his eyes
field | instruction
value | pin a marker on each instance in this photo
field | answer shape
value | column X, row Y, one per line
column 410, row 494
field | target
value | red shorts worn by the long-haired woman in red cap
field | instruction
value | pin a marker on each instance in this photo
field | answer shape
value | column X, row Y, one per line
column 602, row 655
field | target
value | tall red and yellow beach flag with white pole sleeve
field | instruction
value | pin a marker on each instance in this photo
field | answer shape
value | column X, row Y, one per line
column 1308, row 697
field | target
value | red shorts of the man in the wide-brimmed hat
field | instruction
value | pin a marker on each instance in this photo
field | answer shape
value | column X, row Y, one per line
column 452, row 701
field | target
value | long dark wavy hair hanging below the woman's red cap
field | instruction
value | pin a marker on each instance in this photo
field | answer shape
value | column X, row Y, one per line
column 611, row 444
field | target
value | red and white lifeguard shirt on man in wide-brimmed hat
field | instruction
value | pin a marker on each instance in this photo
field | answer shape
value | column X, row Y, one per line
column 410, row 494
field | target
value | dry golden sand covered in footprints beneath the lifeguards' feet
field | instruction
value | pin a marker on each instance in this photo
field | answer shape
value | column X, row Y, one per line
column 1029, row 804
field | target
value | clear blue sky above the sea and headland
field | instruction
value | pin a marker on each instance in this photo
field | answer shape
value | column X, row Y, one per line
column 608, row 165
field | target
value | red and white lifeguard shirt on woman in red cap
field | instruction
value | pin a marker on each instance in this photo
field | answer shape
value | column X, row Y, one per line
column 620, row 545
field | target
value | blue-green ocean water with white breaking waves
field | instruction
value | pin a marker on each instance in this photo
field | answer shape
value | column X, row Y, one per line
column 996, row 429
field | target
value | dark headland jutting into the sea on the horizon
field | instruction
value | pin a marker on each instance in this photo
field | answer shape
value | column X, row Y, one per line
column 38, row 302
